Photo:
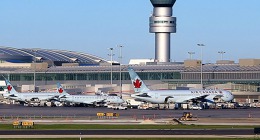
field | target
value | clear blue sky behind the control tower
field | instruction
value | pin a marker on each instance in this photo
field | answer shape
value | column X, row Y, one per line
column 92, row 26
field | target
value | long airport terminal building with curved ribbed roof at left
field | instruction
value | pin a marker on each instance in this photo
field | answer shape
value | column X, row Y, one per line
column 85, row 73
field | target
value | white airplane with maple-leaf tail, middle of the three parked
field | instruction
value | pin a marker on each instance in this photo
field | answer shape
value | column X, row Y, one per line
column 88, row 99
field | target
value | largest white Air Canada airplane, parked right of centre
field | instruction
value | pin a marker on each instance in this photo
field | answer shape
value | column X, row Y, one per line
column 174, row 96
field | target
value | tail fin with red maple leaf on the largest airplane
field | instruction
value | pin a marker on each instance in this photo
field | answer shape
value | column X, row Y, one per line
column 137, row 82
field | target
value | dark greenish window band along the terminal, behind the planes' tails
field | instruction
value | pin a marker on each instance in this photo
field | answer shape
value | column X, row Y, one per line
column 92, row 76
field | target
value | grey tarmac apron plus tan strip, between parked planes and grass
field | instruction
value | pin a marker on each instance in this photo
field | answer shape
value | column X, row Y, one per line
column 250, row 116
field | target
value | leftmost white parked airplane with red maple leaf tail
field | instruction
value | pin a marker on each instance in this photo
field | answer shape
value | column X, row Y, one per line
column 30, row 96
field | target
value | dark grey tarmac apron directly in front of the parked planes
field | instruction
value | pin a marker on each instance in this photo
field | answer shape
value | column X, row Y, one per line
column 19, row 110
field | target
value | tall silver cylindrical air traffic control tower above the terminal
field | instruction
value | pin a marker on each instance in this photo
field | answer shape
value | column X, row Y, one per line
column 162, row 24
